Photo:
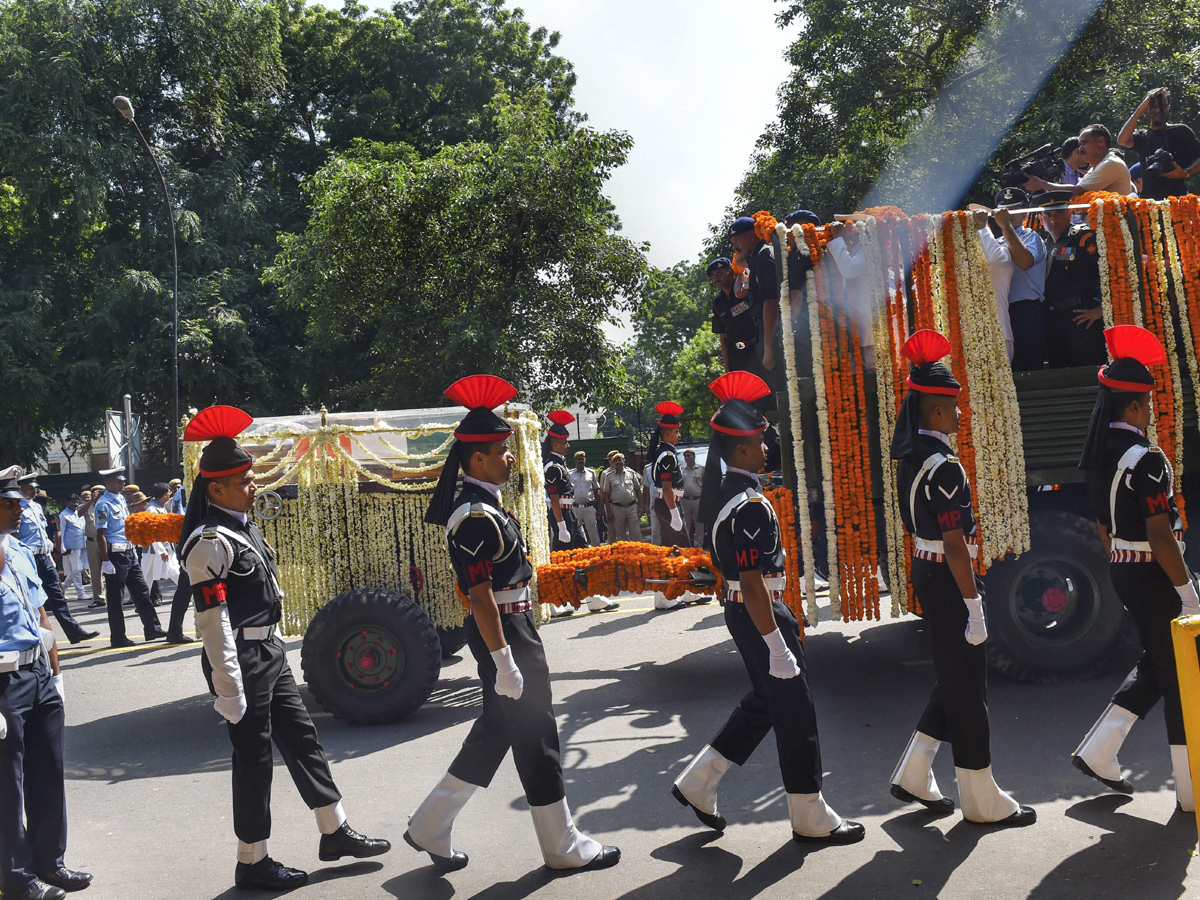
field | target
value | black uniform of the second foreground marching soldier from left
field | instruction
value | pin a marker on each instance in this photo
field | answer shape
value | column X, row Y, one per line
column 487, row 545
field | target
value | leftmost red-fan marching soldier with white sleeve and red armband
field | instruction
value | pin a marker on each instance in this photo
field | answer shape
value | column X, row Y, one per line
column 236, row 587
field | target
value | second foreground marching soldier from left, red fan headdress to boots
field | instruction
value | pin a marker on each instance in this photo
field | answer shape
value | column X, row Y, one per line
column 494, row 571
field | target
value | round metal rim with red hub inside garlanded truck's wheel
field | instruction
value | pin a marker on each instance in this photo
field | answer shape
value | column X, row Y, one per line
column 1055, row 602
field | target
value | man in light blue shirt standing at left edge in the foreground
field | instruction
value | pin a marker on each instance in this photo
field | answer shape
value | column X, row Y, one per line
column 33, row 797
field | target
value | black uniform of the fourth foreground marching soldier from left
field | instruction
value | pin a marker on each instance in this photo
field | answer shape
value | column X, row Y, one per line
column 957, row 711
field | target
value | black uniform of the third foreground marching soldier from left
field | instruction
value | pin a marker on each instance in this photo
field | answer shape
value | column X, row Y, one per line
column 747, row 538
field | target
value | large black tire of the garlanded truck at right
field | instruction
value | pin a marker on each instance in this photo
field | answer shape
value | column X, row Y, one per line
column 1053, row 614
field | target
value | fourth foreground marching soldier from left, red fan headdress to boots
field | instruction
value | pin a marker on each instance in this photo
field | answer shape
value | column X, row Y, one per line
column 940, row 518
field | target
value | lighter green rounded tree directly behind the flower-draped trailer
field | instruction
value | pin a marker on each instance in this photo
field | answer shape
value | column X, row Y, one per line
column 493, row 257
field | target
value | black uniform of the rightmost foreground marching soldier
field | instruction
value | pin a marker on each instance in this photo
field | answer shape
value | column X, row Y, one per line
column 1144, row 489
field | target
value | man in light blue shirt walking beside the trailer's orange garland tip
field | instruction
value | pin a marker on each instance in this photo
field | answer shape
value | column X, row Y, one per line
column 121, row 565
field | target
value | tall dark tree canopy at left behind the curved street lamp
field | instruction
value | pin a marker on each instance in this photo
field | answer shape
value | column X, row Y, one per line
column 242, row 101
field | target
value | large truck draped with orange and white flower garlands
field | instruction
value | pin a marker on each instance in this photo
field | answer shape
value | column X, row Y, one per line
column 1052, row 610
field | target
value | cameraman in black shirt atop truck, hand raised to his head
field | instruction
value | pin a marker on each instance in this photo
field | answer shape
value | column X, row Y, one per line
column 1171, row 153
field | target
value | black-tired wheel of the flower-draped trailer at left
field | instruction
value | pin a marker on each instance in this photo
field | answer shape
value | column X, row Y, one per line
column 371, row 657
